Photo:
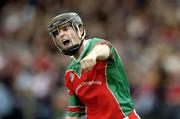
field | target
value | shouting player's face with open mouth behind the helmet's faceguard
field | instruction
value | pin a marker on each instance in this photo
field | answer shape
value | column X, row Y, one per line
column 65, row 37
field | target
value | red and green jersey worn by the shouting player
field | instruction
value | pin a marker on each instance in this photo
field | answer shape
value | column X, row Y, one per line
column 102, row 92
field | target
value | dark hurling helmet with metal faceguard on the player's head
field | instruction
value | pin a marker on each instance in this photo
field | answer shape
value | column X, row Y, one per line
column 70, row 19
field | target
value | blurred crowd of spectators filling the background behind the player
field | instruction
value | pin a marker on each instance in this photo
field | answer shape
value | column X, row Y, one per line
column 146, row 33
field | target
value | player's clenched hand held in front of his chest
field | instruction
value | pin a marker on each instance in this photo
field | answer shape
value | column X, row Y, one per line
column 88, row 62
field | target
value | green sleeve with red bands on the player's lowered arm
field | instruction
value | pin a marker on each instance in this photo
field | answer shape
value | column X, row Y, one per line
column 75, row 106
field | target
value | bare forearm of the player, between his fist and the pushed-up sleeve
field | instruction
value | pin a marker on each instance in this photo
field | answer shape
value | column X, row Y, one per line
column 101, row 52
